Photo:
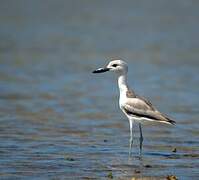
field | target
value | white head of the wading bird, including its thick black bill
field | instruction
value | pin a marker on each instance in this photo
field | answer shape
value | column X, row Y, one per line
column 118, row 66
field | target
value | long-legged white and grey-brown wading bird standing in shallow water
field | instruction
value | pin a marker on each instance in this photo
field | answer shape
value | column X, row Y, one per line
column 137, row 108
